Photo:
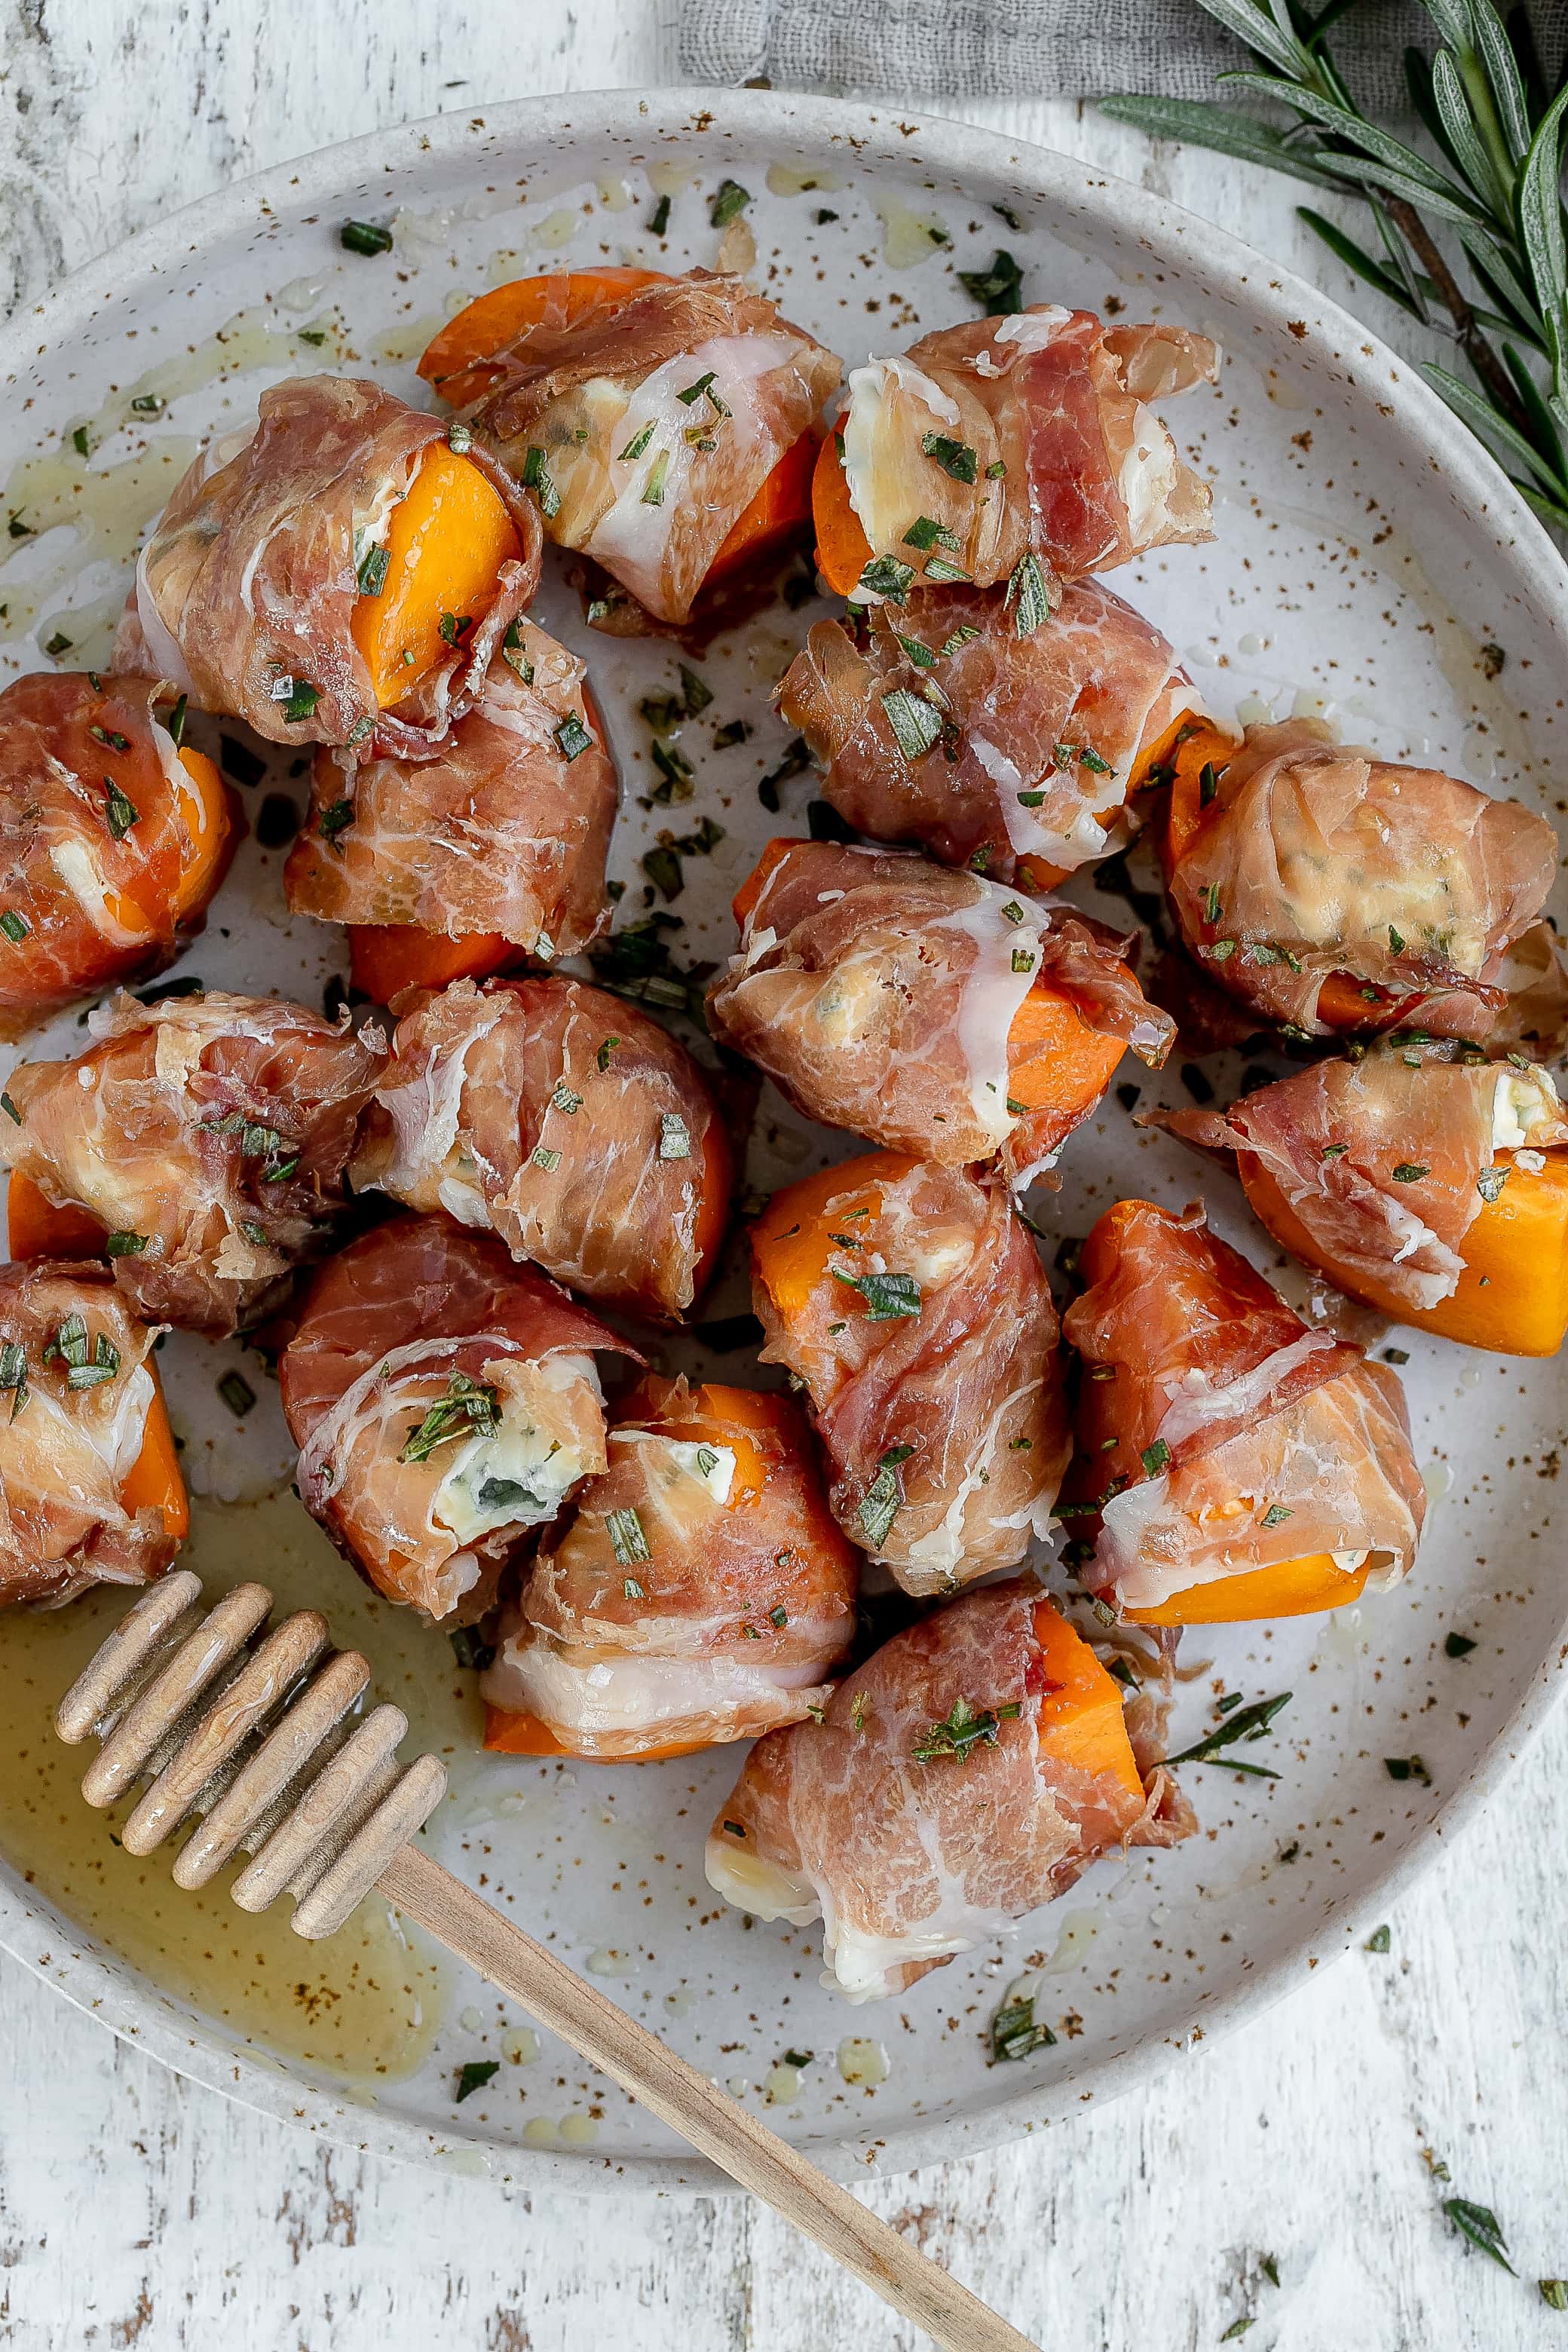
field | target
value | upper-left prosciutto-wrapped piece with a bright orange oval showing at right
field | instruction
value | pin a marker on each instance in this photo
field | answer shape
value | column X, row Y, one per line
column 337, row 573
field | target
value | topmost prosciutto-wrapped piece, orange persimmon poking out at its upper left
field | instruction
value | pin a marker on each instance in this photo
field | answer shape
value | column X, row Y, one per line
column 664, row 425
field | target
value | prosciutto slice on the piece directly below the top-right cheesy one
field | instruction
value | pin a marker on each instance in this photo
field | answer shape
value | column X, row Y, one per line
column 1026, row 754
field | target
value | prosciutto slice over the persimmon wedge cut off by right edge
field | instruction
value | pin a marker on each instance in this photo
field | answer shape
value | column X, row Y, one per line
column 1386, row 1163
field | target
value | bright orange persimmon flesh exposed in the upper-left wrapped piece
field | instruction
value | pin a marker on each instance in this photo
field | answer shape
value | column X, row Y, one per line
column 445, row 544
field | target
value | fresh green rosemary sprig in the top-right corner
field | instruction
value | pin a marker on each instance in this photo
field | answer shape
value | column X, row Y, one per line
column 1494, row 189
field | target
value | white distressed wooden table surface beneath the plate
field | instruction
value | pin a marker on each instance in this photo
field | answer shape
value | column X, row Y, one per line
column 142, row 2212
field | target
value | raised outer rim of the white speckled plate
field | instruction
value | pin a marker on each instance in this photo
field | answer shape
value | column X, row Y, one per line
column 1177, row 239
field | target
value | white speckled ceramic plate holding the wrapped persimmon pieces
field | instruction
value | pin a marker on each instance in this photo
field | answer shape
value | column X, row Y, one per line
column 1365, row 559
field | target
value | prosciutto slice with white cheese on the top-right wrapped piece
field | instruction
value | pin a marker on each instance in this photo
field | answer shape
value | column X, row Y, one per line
column 1026, row 450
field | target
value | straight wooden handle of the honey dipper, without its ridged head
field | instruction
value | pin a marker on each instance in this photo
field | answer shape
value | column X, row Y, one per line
column 688, row 2102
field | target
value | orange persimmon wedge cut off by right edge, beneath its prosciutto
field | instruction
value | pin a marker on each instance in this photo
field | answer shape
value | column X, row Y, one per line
column 1513, row 1295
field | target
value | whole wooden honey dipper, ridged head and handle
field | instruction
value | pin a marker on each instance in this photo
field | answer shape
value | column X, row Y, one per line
column 257, row 1735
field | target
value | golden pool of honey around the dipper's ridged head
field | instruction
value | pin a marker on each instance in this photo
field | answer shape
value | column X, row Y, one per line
column 363, row 2005
